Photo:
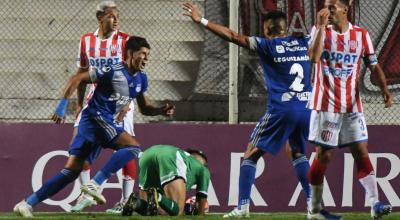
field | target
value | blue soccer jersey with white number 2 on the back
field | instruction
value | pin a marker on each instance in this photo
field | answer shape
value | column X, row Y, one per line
column 287, row 68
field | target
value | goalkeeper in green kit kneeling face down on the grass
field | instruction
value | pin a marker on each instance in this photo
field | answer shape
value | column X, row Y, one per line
column 165, row 174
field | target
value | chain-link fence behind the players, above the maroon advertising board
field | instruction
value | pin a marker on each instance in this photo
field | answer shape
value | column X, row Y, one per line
column 188, row 65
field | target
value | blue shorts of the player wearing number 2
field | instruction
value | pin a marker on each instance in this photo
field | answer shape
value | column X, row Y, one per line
column 274, row 129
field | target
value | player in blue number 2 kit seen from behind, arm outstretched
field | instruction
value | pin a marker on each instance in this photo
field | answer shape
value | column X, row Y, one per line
column 287, row 70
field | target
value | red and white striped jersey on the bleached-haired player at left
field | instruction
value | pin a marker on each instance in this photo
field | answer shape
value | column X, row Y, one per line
column 96, row 52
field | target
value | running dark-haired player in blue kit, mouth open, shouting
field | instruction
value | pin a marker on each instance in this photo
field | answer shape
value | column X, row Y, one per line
column 117, row 85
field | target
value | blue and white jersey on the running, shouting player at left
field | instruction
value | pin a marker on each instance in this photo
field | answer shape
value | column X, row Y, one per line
column 116, row 88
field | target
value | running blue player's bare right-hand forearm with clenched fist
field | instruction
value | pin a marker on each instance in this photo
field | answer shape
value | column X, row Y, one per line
column 146, row 108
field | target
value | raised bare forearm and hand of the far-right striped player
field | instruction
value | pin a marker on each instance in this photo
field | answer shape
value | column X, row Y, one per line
column 316, row 47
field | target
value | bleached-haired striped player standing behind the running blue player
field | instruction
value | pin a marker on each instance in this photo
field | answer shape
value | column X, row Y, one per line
column 105, row 46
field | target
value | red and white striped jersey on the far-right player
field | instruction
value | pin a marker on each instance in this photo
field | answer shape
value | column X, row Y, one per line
column 336, row 74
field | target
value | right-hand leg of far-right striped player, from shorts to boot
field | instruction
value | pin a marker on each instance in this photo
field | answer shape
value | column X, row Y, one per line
column 356, row 138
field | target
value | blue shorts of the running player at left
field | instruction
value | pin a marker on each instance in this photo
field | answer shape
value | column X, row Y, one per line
column 94, row 133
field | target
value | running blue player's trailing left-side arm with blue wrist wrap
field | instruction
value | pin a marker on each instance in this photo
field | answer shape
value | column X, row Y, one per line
column 74, row 81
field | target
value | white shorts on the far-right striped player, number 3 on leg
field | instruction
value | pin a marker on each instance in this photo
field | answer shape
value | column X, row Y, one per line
column 332, row 130
